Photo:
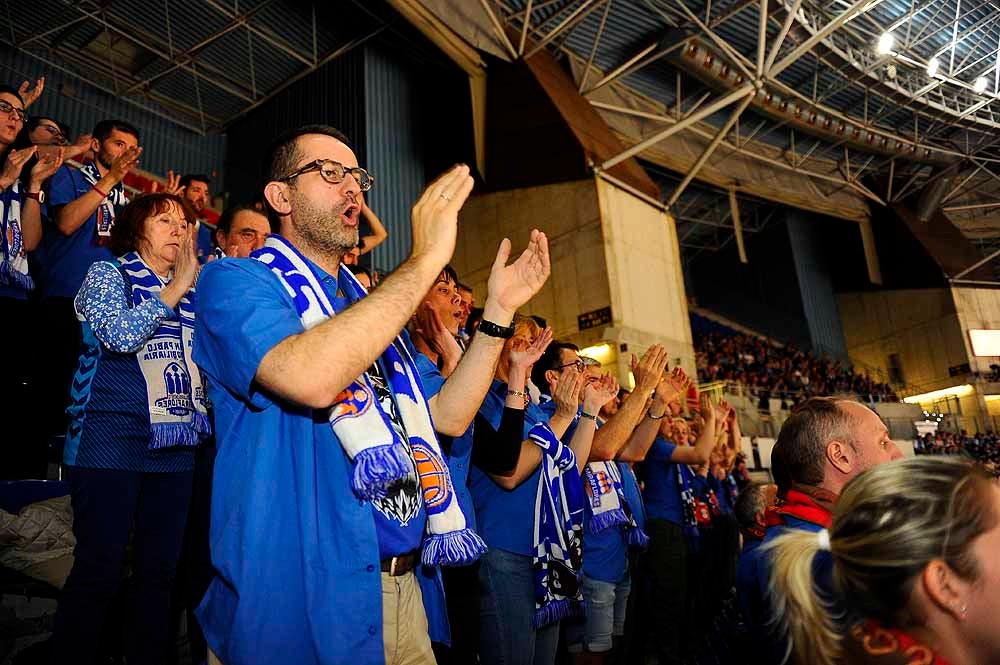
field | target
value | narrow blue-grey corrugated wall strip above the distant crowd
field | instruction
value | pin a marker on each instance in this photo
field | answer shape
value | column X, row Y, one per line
column 816, row 285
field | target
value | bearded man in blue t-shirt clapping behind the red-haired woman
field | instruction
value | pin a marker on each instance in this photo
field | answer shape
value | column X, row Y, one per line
column 82, row 206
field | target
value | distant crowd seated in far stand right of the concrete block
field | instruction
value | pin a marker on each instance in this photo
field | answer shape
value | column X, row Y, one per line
column 768, row 369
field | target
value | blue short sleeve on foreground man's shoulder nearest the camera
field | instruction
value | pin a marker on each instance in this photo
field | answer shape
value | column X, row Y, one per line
column 242, row 313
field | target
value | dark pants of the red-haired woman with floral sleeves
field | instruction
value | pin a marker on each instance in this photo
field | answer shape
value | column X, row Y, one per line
column 106, row 504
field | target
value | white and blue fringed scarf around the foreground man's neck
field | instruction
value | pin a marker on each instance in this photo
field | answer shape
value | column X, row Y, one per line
column 363, row 427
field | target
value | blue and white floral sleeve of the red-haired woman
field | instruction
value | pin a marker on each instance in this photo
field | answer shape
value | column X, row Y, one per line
column 104, row 301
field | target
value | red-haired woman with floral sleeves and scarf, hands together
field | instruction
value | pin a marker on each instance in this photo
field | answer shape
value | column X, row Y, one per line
column 137, row 412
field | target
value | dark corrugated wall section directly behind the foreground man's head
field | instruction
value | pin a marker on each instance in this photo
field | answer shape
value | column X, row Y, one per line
column 332, row 95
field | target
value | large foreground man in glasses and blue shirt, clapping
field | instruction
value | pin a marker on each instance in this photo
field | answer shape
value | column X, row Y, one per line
column 328, row 469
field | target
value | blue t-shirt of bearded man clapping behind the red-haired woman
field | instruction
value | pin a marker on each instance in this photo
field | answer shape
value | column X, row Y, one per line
column 67, row 258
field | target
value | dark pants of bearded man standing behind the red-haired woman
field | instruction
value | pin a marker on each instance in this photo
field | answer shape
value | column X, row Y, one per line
column 62, row 337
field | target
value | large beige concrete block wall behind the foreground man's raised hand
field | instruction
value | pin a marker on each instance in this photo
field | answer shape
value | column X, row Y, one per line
column 608, row 249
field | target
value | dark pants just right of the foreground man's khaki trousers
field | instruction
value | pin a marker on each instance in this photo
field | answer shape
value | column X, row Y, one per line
column 461, row 588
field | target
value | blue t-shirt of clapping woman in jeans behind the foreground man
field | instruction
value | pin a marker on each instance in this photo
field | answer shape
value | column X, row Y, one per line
column 506, row 518
